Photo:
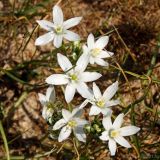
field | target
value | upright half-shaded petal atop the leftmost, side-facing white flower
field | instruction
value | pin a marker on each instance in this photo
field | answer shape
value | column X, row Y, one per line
column 50, row 94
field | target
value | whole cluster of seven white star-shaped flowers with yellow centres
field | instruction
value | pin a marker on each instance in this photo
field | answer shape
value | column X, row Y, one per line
column 75, row 79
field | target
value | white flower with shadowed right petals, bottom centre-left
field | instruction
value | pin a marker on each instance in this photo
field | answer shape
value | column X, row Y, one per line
column 71, row 121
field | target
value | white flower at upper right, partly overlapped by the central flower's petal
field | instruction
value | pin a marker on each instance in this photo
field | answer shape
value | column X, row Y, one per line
column 96, row 50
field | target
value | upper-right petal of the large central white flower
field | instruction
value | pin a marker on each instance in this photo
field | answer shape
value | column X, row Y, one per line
column 82, row 63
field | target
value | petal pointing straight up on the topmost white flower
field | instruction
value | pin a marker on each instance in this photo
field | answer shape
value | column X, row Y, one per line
column 57, row 15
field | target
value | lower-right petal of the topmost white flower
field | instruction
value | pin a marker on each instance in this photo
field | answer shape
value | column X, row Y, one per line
column 71, row 36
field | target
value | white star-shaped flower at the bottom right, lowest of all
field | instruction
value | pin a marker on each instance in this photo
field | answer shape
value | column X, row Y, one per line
column 114, row 133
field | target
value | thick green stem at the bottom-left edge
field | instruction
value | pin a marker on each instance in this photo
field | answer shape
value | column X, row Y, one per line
column 4, row 140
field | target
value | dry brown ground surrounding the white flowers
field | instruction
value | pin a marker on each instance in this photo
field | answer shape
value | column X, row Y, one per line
column 138, row 26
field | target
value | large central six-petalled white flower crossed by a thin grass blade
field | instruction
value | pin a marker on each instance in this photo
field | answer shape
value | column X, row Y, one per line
column 74, row 77
